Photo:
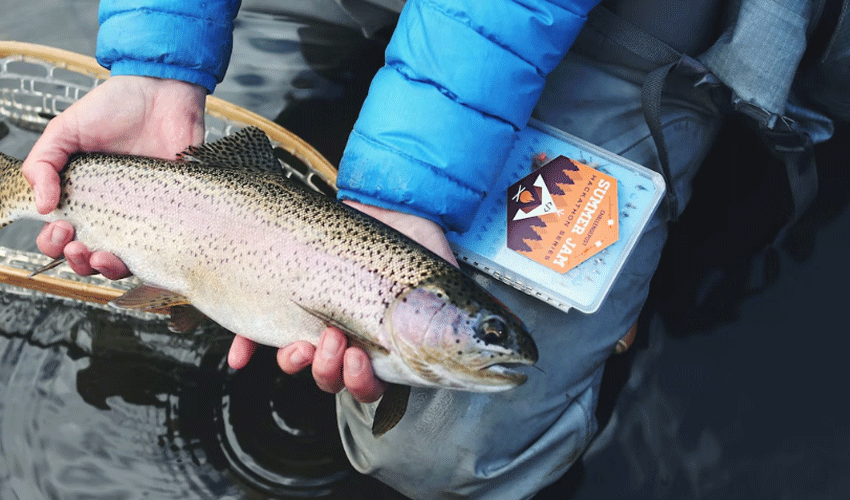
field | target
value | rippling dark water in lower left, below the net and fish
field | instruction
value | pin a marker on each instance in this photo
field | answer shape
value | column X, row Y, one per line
column 93, row 405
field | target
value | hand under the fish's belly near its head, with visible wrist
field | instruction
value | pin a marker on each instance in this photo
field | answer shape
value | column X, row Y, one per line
column 334, row 364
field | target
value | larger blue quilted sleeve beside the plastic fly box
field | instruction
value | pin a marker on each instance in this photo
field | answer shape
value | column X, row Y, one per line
column 460, row 78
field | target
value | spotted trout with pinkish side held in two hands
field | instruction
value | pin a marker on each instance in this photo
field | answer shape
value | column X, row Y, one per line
column 221, row 232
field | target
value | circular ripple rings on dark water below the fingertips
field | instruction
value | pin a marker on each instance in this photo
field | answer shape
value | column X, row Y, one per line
column 279, row 433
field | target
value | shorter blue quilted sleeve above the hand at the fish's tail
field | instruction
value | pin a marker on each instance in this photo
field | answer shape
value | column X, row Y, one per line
column 183, row 40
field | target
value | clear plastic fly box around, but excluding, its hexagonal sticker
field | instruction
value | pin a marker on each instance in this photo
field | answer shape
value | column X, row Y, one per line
column 585, row 286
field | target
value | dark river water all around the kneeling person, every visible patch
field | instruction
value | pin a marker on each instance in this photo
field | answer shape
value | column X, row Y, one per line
column 735, row 388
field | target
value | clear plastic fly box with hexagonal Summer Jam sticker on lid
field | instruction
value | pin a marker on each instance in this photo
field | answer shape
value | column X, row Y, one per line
column 561, row 220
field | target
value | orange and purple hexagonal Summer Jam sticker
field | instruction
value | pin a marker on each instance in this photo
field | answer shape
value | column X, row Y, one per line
column 562, row 214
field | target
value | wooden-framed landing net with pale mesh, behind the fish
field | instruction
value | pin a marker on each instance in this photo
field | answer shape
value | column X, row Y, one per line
column 39, row 82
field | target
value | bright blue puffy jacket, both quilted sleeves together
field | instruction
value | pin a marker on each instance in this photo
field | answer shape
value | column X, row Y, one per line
column 460, row 78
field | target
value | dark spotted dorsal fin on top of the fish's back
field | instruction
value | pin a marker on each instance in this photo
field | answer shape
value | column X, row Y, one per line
column 248, row 149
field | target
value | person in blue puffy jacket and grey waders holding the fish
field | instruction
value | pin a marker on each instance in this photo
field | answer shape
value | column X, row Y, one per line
column 460, row 78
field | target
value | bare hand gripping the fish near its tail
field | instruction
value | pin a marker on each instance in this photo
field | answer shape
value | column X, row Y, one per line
column 125, row 114
